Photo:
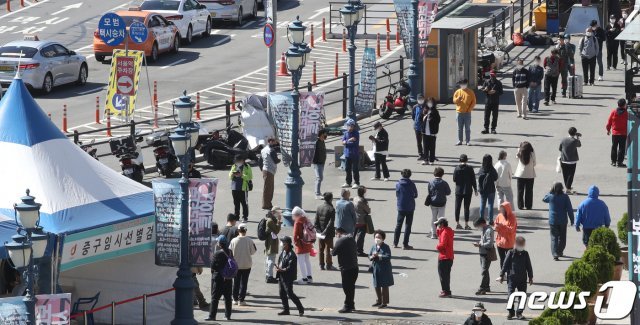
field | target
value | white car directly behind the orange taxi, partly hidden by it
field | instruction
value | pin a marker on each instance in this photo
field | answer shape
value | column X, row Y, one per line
column 191, row 17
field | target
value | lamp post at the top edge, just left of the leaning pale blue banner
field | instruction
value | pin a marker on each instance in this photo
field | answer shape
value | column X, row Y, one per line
column 350, row 15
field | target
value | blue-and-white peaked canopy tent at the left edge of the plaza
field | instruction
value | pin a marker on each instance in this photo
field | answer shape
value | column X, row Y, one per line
column 77, row 193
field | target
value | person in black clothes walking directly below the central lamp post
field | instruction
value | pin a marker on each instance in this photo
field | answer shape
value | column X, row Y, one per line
column 286, row 273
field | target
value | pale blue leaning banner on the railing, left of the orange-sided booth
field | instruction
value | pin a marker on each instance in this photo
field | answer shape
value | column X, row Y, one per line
column 366, row 98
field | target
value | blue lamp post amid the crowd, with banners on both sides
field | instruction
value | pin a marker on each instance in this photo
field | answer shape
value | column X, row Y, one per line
column 296, row 59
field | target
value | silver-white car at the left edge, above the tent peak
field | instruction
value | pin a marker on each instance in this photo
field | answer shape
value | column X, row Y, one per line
column 43, row 64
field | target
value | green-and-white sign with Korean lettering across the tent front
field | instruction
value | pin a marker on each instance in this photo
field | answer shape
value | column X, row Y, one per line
column 107, row 242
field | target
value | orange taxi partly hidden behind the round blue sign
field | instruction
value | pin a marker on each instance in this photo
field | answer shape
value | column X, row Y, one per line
column 163, row 35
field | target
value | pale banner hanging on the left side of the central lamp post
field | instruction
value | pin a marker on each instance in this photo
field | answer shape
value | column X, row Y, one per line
column 281, row 115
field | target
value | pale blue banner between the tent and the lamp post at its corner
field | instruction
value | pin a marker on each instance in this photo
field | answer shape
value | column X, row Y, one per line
column 167, row 197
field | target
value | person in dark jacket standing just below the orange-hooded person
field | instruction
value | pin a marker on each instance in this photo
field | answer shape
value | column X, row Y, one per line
column 517, row 268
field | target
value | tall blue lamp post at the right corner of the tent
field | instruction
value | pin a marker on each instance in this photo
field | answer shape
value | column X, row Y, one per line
column 182, row 140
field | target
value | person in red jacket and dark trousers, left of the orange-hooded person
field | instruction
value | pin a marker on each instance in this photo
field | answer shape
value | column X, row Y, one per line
column 445, row 258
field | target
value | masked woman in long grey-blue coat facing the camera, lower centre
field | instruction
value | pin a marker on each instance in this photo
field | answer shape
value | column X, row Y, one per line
column 380, row 257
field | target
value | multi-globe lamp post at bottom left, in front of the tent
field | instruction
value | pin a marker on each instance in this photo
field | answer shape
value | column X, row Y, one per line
column 28, row 245
